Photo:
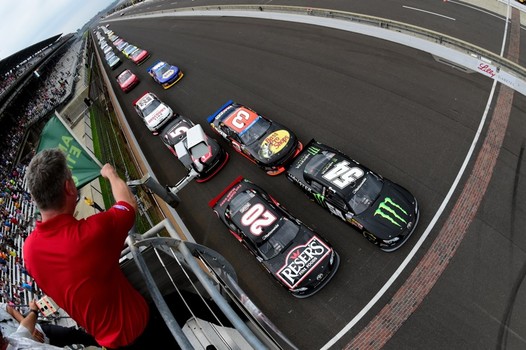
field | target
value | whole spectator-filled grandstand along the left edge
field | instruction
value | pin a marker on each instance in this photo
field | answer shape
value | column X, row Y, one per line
column 34, row 82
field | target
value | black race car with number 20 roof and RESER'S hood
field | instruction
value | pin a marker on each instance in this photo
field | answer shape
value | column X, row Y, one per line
column 297, row 257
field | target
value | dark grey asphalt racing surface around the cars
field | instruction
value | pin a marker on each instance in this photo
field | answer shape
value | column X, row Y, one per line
column 394, row 109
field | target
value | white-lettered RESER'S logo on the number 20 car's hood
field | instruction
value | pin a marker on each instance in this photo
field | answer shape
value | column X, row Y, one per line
column 301, row 260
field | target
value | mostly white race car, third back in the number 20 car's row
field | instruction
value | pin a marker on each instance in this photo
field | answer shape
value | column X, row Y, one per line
column 153, row 112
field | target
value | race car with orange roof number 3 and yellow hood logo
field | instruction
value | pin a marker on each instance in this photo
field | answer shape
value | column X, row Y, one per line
column 268, row 144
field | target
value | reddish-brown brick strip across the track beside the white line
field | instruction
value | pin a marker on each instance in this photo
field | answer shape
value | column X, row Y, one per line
column 408, row 298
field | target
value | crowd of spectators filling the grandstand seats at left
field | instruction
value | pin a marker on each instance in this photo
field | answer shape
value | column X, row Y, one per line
column 17, row 212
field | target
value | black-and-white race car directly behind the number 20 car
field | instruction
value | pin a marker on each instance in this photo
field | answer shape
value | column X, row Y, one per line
column 175, row 132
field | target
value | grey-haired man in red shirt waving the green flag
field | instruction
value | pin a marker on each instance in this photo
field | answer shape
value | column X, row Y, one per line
column 76, row 262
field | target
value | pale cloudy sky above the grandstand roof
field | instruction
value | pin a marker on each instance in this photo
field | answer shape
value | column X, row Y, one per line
column 26, row 22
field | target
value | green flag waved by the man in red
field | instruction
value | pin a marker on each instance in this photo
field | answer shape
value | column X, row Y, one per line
column 82, row 163
